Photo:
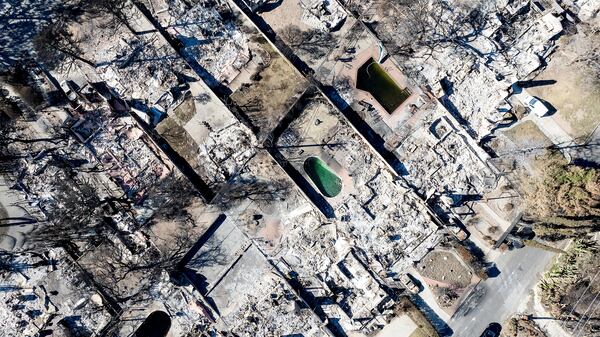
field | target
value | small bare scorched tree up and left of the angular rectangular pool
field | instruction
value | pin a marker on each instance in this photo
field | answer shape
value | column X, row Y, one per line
column 313, row 42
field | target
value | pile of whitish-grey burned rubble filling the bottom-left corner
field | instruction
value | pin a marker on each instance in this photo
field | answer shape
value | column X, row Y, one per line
column 48, row 293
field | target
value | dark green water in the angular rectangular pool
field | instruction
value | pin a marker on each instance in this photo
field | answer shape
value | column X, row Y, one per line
column 371, row 77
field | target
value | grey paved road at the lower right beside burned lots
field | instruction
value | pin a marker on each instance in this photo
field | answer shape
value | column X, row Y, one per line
column 498, row 298
